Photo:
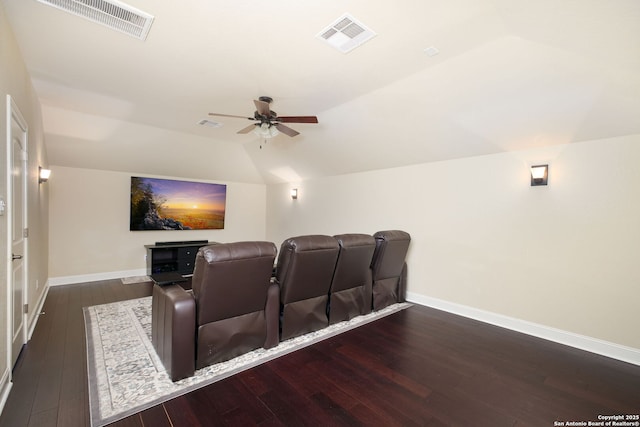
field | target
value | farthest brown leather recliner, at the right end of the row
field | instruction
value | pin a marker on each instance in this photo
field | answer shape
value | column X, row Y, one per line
column 389, row 268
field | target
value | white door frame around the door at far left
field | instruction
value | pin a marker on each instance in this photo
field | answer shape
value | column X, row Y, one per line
column 14, row 114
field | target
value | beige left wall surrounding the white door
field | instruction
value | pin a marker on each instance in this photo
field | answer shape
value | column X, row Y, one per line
column 15, row 81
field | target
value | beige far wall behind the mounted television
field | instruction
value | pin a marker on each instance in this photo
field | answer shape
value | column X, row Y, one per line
column 90, row 237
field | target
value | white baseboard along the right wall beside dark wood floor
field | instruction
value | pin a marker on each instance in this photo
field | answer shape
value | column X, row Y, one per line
column 582, row 342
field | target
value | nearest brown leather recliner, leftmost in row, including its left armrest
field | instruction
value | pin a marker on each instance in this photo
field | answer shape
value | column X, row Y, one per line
column 233, row 309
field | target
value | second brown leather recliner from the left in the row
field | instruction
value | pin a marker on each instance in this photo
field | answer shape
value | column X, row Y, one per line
column 304, row 272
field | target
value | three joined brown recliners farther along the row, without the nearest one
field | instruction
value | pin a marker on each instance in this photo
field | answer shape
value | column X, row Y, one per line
column 324, row 280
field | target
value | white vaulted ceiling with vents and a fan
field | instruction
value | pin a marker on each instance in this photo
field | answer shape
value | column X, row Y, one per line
column 510, row 75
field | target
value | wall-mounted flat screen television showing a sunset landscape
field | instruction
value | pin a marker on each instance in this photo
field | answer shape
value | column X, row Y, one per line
column 166, row 204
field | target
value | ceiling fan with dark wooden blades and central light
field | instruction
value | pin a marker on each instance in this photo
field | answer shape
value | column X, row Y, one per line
column 268, row 123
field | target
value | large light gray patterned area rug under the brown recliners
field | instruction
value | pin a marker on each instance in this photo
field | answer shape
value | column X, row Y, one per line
column 126, row 376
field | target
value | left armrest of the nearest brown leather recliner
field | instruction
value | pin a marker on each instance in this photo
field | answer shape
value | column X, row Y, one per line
column 173, row 329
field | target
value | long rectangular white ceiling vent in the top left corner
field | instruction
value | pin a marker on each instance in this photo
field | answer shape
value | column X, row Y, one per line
column 112, row 13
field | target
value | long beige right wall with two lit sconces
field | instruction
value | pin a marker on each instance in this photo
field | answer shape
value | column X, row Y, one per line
column 562, row 256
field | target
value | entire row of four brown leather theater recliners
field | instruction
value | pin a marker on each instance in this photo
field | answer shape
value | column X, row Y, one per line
column 236, row 307
